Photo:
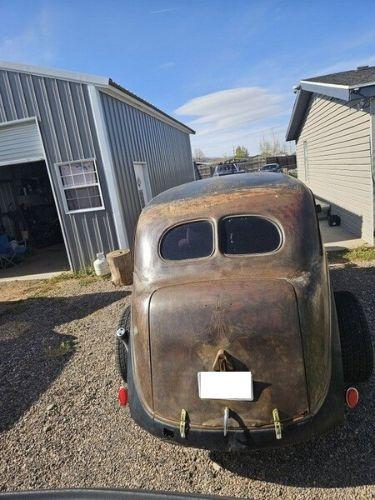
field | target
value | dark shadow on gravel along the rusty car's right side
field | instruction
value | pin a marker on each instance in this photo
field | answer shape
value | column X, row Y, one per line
column 343, row 457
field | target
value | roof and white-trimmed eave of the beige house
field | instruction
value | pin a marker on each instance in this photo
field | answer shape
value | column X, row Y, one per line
column 346, row 85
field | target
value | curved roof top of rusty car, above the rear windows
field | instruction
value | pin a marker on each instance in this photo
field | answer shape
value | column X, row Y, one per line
column 226, row 184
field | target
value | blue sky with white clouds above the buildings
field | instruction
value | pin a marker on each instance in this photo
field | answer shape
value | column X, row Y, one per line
column 224, row 67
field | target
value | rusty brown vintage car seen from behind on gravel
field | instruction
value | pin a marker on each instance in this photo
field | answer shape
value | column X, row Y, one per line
column 232, row 340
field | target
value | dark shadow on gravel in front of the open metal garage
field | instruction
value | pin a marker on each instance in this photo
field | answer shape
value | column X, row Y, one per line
column 32, row 353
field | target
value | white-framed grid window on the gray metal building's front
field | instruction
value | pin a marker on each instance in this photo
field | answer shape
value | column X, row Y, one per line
column 80, row 186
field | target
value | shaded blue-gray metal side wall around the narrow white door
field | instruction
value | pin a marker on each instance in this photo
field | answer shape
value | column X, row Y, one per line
column 136, row 136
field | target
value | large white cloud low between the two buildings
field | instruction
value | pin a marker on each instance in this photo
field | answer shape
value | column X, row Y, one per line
column 233, row 116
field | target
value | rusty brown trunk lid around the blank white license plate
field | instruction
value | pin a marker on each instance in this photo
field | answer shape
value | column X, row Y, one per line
column 255, row 322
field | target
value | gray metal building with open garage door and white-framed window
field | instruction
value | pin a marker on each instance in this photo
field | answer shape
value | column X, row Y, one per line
column 79, row 157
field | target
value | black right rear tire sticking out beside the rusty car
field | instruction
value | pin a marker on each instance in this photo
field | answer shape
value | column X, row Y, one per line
column 356, row 346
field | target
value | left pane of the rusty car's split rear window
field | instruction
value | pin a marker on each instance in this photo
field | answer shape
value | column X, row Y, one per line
column 192, row 240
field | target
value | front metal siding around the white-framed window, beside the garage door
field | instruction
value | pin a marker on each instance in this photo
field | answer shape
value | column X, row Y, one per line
column 66, row 123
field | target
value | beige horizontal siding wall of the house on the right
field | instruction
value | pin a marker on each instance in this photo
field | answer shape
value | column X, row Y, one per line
column 334, row 160
